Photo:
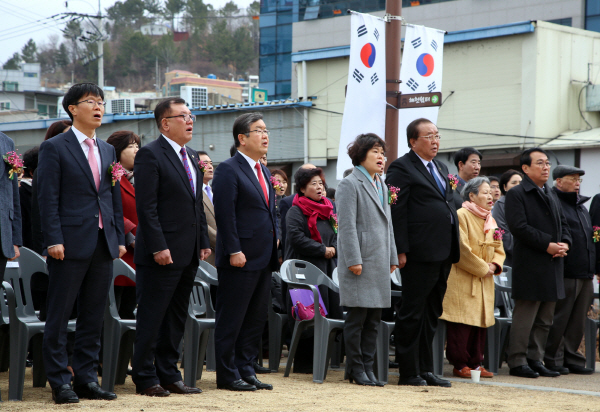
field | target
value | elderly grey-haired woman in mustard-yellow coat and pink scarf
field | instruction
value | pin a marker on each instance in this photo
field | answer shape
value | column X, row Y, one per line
column 469, row 300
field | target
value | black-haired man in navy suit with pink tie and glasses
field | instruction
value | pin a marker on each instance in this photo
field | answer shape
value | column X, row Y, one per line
column 82, row 222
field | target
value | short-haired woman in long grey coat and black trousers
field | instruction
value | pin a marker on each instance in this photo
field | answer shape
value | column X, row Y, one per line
column 366, row 254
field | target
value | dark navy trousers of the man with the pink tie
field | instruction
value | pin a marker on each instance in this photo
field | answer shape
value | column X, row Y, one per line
column 89, row 279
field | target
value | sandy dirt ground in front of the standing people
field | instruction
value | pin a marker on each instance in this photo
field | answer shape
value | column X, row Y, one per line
column 299, row 393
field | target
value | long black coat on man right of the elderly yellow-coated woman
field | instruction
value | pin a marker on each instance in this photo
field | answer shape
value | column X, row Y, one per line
column 535, row 220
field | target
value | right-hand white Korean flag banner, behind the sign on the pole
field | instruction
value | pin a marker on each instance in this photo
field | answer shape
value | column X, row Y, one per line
column 421, row 72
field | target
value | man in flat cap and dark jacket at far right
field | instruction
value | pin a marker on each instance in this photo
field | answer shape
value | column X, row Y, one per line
column 562, row 349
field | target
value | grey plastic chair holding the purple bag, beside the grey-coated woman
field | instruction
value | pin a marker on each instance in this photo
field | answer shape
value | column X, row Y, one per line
column 303, row 275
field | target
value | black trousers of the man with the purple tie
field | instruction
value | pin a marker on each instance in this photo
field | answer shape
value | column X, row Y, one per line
column 163, row 295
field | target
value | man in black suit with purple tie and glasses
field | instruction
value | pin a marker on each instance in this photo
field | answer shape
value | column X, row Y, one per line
column 171, row 236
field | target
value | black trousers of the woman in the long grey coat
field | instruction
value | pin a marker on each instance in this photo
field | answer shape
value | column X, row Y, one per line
column 360, row 338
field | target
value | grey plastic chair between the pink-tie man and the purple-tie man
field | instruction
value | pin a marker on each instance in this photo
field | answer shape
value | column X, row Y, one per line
column 116, row 334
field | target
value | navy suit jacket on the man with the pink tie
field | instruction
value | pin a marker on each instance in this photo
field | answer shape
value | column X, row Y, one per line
column 69, row 201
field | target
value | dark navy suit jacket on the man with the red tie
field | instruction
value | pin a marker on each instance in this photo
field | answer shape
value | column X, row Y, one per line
column 246, row 222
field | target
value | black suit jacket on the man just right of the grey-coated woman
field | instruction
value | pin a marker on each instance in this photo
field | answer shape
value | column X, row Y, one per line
column 422, row 215
